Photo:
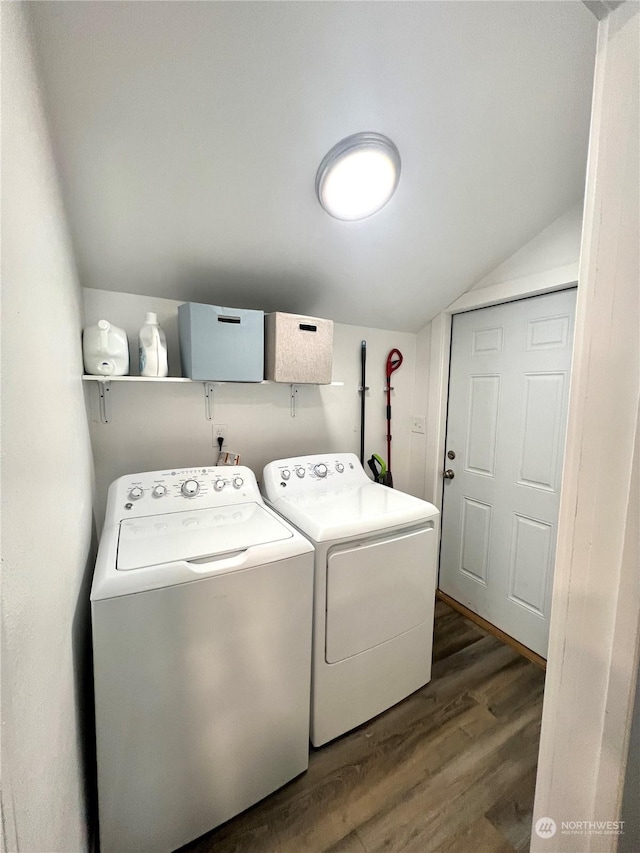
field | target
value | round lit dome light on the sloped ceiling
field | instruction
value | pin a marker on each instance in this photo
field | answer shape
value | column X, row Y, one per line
column 358, row 176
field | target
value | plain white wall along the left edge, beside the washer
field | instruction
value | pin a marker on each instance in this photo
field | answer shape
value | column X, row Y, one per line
column 46, row 481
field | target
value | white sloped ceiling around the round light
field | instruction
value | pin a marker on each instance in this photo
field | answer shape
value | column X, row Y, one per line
column 188, row 137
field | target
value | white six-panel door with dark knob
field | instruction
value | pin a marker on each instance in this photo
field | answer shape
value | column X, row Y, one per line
column 508, row 395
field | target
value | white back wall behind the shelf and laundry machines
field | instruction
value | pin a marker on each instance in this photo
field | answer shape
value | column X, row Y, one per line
column 156, row 426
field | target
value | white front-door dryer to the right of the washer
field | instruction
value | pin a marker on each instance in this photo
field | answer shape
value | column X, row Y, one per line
column 375, row 581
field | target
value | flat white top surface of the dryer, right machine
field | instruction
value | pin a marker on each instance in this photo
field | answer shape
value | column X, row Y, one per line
column 352, row 510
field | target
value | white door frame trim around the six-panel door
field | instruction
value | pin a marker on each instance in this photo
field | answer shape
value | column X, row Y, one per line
column 553, row 280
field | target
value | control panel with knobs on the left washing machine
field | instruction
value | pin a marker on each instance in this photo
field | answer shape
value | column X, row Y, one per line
column 157, row 492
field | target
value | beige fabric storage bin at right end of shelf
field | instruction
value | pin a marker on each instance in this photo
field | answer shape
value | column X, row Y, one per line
column 298, row 349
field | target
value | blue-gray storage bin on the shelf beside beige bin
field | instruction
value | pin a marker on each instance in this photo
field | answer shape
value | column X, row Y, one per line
column 225, row 344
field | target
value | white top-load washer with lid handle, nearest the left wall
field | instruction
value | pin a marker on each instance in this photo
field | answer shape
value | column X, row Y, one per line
column 201, row 611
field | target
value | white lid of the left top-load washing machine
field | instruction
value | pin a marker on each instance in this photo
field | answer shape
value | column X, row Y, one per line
column 196, row 535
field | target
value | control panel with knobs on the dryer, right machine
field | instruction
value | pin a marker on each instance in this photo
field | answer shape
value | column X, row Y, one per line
column 307, row 474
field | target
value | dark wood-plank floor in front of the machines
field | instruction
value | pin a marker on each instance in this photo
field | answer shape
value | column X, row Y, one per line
column 450, row 769
